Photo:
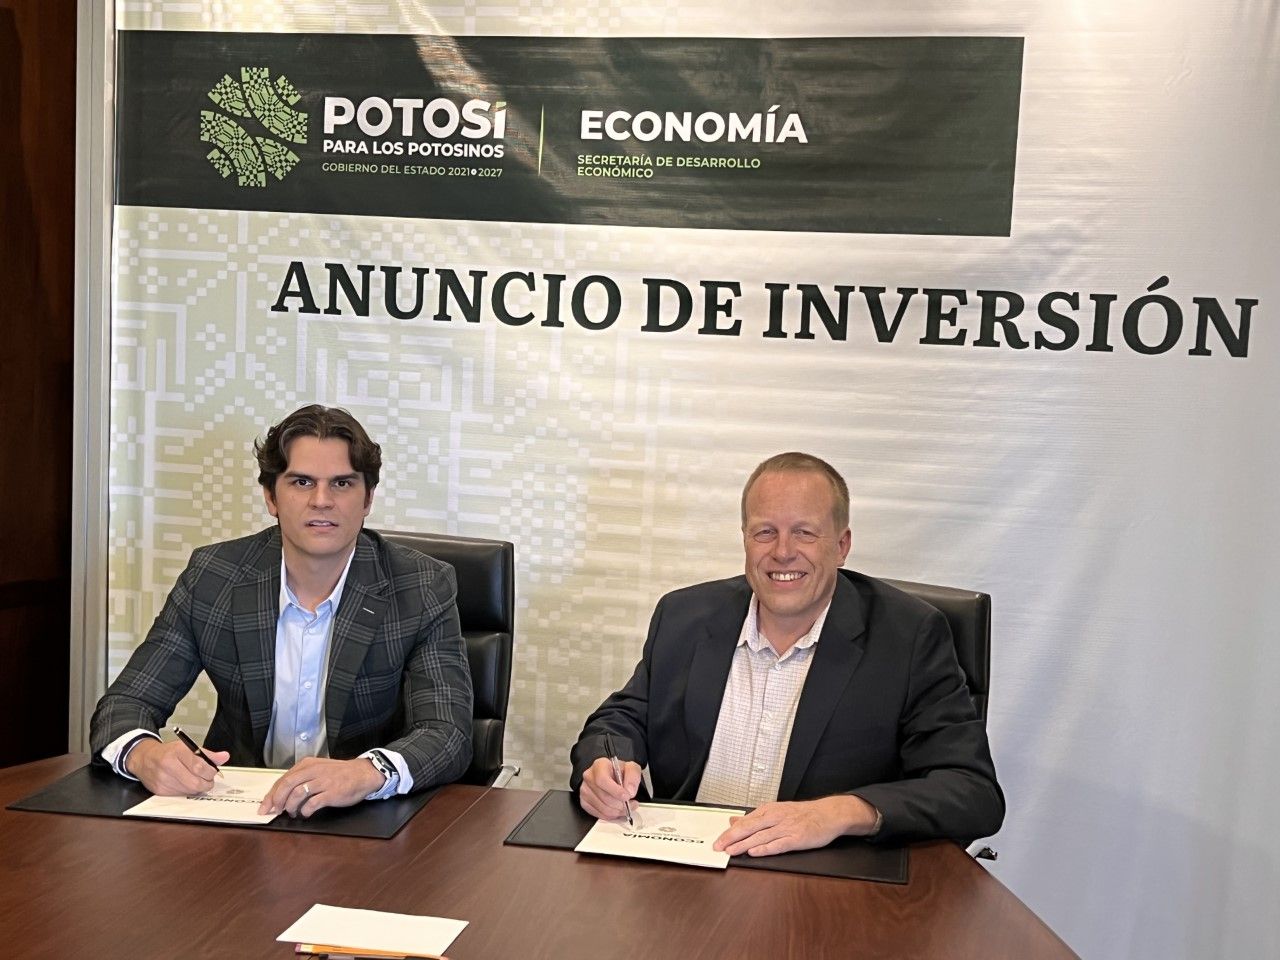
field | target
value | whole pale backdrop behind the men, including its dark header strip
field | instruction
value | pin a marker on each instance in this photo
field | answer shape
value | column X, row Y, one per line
column 1008, row 267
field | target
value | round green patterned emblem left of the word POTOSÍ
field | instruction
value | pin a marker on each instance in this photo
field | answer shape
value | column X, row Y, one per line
column 236, row 150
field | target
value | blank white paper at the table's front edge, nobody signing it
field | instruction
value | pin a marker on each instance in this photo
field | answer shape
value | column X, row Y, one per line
column 374, row 930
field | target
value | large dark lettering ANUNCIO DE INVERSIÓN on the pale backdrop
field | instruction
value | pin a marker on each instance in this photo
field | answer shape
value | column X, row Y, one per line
column 1149, row 324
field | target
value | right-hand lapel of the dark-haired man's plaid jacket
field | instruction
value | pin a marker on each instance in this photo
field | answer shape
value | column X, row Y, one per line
column 360, row 616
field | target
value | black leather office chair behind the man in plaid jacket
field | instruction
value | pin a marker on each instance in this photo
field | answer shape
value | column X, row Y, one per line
column 486, row 572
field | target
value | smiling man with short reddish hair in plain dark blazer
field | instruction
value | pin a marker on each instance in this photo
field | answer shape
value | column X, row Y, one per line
column 828, row 701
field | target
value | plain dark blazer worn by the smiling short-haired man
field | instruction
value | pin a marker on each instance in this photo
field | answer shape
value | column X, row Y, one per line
column 885, row 712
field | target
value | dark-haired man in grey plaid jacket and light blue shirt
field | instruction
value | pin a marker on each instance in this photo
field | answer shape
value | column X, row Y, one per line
column 335, row 653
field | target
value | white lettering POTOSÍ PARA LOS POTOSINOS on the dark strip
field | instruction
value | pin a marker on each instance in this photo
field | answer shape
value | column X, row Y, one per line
column 414, row 127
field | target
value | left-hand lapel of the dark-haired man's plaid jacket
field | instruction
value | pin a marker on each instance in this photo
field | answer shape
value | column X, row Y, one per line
column 255, row 612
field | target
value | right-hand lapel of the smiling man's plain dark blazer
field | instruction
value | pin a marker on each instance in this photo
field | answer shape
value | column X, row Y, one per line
column 839, row 651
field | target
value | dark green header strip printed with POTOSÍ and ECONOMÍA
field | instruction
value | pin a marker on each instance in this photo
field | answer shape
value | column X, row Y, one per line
column 652, row 132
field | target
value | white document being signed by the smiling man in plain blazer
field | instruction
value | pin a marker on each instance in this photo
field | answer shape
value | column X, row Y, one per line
column 664, row 833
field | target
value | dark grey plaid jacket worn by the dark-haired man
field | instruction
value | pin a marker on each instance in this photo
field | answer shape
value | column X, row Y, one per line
column 397, row 679
